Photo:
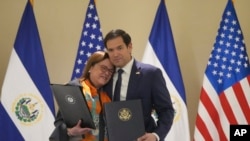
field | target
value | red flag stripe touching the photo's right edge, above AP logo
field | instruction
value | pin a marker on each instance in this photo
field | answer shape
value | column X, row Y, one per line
column 242, row 101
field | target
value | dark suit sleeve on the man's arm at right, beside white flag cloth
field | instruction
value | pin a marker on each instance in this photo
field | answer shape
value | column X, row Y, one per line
column 162, row 104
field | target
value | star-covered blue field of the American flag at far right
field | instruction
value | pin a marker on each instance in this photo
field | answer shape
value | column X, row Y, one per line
column 229, row 55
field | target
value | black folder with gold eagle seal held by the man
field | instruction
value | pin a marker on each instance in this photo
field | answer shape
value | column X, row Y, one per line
column 124, row 120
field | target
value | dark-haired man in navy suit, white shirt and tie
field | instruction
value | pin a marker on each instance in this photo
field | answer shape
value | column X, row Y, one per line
column 140, row 81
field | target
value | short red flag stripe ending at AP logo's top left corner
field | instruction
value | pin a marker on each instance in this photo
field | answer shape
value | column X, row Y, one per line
column 227, row 109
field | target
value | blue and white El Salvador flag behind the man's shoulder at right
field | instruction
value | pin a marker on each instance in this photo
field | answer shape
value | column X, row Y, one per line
column 160, row 51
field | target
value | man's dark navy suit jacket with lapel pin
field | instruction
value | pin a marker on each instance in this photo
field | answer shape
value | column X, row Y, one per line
column 146, row 82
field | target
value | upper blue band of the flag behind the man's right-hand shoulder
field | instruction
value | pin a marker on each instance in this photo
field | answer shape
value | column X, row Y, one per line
column 162, row 42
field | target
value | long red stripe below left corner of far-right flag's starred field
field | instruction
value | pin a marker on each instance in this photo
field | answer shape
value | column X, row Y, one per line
column 207, row 102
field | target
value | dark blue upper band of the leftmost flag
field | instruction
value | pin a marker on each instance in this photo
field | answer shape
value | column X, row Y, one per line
column 30, row 52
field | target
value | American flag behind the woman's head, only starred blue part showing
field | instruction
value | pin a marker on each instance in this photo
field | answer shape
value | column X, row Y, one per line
column 91, row 39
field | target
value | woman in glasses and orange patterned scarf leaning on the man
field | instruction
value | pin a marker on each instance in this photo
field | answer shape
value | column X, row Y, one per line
column 96, row 74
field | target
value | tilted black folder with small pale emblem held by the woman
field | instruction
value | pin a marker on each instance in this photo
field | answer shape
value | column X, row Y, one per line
column 72, row 105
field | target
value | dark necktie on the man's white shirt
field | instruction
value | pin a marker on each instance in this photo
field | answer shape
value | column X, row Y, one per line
column 118, row 86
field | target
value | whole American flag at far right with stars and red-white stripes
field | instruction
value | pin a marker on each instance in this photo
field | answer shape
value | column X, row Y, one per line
column 225, row 95
